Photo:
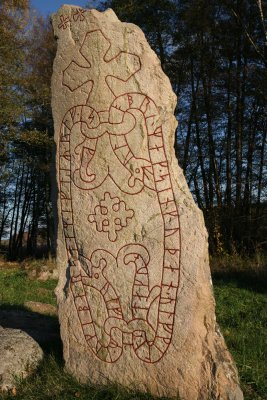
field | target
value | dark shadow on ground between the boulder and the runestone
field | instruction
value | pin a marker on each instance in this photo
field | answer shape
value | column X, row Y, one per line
column 44, row 329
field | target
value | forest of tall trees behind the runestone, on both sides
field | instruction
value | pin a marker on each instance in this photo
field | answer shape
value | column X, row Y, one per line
column 215, row 54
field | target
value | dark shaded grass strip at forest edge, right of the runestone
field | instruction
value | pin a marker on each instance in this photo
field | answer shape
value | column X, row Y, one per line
column 243, row 279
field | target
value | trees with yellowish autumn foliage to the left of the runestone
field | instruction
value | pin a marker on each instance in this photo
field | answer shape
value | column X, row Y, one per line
column 27, row 51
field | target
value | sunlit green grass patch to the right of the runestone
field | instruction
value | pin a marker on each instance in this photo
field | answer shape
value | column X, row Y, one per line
column 242, row 316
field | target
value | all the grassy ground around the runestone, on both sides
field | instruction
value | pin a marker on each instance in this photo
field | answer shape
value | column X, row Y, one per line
column 241, row 313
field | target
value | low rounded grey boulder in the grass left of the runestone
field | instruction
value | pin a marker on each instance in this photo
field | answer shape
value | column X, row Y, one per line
column 19, row 356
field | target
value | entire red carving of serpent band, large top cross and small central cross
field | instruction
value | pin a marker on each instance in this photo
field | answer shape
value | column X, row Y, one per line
column 109, row 129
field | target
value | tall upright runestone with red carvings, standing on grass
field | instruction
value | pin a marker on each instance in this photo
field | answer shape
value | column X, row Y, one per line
column 135, row 294
